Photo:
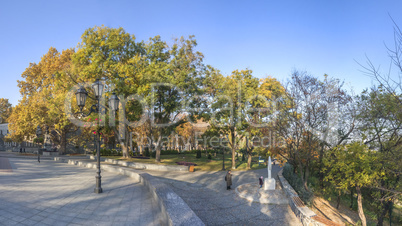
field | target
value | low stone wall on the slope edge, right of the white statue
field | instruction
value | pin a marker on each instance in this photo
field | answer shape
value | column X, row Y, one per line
column 305, row 215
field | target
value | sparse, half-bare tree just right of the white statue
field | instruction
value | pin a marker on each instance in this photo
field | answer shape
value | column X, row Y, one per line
column 308, row 120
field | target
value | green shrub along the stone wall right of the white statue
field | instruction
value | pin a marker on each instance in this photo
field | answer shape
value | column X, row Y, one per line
column 296, row 182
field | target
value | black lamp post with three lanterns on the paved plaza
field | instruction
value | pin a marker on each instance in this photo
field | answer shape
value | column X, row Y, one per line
column 81, row 96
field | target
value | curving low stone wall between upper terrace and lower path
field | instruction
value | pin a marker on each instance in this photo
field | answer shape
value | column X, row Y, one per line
column 173, row 208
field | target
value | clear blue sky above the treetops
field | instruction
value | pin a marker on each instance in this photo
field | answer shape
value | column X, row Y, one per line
column 270, row 37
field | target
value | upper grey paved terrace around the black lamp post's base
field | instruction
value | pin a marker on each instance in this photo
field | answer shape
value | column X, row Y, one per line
column 52, row 193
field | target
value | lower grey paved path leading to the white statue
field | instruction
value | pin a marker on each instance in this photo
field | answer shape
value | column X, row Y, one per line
column 205, row 192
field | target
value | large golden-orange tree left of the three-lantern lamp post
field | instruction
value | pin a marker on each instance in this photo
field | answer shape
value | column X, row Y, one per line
column 43, row 90
